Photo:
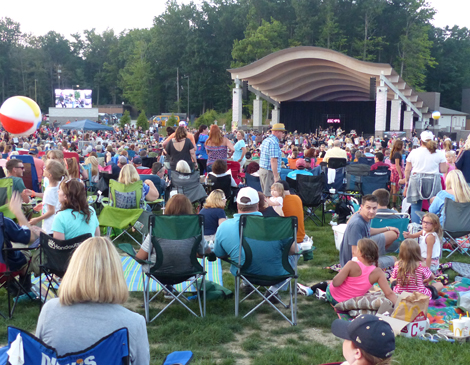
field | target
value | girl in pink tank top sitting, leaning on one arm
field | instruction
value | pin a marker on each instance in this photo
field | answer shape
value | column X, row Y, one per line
column 355, row 278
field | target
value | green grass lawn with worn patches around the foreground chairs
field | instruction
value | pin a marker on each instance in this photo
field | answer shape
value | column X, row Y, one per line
column 263, row 338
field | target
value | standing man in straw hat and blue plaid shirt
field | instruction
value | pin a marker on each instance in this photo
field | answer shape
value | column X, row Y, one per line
column 270, row 159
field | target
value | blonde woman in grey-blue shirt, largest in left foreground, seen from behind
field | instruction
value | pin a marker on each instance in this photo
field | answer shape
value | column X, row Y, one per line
column 90, row 304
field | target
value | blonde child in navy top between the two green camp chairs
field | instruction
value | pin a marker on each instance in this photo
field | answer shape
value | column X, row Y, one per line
column 213, row 213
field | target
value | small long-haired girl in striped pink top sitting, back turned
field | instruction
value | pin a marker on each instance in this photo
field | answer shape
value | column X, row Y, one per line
column 410, row 274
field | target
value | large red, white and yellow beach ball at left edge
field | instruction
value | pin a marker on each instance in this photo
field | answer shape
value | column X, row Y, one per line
column 20, row 115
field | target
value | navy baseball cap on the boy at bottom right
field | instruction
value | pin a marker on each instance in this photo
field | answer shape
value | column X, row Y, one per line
column 367, row 332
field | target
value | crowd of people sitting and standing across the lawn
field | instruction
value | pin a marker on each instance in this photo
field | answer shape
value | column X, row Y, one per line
column 422, row 169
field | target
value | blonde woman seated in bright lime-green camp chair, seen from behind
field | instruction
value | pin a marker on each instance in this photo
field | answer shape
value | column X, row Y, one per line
column 128, row 176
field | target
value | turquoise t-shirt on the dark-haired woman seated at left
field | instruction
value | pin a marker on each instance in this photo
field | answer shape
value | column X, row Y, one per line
column 73, row 224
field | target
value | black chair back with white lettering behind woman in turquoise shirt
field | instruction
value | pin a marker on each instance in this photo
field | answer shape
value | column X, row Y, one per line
column 57, row 253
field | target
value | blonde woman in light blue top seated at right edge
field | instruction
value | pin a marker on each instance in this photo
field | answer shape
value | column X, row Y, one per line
column 456, row 189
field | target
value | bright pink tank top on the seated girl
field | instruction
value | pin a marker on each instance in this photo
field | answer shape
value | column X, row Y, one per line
column 353, row 286
